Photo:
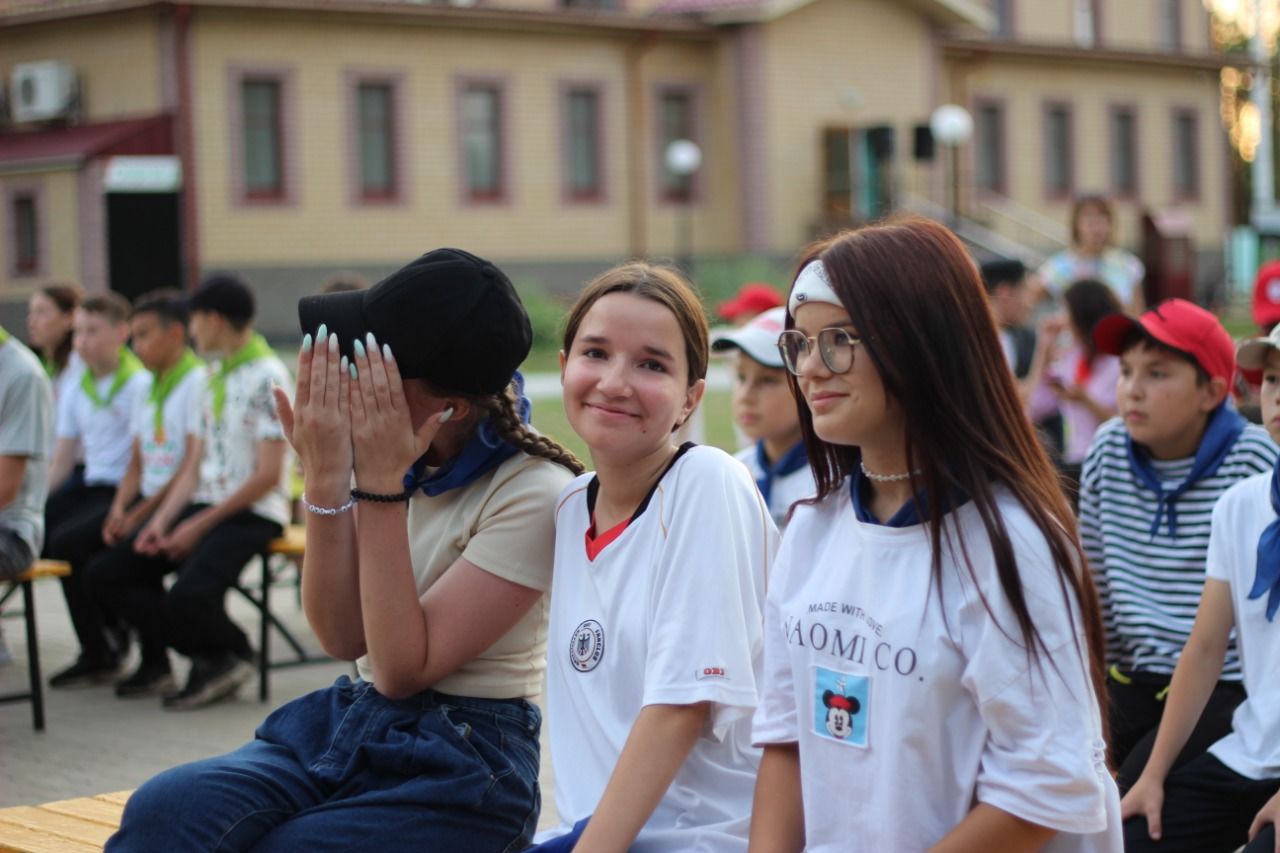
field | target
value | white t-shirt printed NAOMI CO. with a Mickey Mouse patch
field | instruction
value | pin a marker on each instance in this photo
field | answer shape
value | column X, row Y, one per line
column 911, row 708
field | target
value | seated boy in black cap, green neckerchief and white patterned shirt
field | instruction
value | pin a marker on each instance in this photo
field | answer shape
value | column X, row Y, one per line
column 230, row 499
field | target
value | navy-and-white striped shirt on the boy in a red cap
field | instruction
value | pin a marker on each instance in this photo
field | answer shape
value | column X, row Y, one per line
column 1150, row 586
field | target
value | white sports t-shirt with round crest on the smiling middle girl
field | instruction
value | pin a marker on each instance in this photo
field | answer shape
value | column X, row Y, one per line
column 668, row 614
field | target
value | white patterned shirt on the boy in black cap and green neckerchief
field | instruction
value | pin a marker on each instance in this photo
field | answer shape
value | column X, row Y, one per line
column 231, row 441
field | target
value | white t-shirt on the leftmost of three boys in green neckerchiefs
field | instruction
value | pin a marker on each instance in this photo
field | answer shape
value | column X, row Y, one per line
column 103, row 431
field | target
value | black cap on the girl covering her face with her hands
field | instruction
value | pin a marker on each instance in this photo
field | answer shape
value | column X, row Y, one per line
column 450, row 318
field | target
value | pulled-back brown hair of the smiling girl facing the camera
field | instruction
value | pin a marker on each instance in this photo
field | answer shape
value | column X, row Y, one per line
column 662, row 285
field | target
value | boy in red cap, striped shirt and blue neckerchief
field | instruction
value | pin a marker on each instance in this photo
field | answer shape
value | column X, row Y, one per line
column 1148, row 494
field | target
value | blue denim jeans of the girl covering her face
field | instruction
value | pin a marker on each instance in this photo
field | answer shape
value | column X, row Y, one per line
column 348, row 769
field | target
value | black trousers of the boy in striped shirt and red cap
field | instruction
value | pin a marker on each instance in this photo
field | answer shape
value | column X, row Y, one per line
column 1136, row 713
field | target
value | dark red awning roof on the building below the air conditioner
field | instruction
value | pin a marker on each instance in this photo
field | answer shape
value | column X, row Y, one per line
column 75, row 145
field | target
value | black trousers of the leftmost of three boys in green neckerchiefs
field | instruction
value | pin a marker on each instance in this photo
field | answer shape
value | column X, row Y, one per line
column 74, row 524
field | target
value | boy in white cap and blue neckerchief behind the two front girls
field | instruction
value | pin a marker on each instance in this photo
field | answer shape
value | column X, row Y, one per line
column 766, row 413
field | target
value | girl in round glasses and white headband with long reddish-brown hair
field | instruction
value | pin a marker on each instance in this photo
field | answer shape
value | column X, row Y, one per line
column 934, row 647
